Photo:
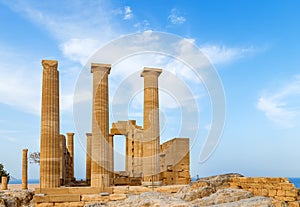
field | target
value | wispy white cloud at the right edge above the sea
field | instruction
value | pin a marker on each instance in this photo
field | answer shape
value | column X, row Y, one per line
column 282, row 106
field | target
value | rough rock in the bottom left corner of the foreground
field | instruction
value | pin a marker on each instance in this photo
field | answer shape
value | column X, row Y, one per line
column 16, row 198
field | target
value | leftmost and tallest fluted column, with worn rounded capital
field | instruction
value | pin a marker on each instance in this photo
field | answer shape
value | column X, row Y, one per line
column 49, row 149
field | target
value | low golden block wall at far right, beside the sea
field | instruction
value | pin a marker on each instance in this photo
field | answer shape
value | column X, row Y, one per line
column 278, row 188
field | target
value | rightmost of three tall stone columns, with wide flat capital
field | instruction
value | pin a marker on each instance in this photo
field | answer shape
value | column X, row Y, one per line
column 151, row 134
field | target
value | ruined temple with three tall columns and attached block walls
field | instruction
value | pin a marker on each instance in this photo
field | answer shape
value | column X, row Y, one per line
column 147, row 162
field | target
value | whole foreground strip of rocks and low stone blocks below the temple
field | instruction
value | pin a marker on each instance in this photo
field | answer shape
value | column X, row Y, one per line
column 230, row 190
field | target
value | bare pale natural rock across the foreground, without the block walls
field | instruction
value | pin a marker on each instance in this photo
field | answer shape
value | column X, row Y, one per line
column 211, row 191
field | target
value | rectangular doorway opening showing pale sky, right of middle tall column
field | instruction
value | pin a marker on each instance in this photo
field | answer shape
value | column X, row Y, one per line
column 119, row 153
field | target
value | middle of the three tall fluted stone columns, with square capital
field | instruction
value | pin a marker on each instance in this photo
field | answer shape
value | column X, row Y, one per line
column 100, row 128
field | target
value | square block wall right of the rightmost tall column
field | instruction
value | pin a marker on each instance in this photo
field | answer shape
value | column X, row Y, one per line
column 175, row 161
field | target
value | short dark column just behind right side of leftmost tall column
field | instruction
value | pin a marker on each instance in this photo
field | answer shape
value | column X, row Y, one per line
column 62, row 157
